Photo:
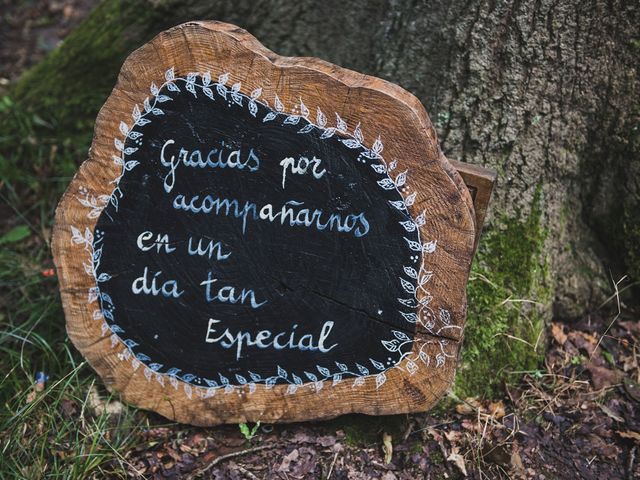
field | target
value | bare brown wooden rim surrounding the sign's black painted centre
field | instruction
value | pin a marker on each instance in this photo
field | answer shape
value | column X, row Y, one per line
column 382, row 109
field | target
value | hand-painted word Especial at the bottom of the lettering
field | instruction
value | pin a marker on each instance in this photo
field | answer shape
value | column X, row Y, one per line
column 266, row 339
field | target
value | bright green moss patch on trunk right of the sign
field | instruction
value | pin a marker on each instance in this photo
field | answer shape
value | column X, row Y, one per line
column 503, row 324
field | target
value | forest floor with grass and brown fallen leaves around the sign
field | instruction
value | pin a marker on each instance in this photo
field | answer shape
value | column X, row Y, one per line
column 576, row 416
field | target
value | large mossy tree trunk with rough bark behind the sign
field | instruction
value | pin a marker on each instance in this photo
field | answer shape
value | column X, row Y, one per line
column 545, row 92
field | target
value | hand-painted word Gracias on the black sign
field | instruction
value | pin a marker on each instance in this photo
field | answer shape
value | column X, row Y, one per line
column 222, row 157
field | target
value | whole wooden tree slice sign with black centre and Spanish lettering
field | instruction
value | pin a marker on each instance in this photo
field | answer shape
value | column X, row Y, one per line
column 255, row 237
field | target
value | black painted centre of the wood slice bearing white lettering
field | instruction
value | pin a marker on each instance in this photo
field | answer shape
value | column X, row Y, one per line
column 242, row 247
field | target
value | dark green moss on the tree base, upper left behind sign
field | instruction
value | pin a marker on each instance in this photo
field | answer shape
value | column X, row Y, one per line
column 73, row 81
